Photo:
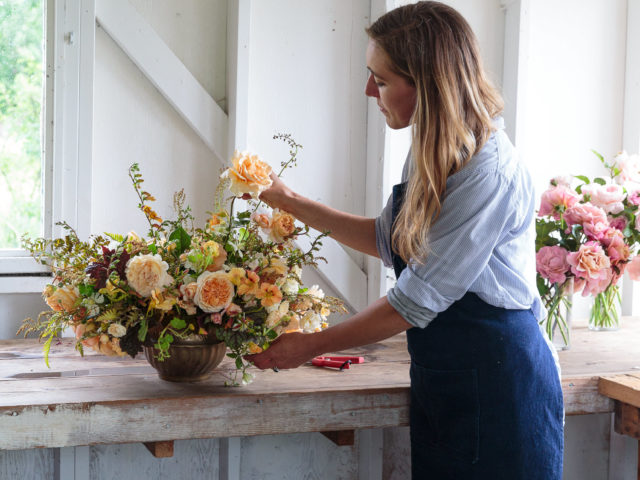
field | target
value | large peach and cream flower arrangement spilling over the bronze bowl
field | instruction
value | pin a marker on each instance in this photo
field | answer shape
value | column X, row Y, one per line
column 237, row 278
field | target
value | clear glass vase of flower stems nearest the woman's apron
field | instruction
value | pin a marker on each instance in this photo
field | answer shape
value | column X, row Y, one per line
column 557, row 324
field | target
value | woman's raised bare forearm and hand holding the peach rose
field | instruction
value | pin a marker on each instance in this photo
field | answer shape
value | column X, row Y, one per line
column 352, row 230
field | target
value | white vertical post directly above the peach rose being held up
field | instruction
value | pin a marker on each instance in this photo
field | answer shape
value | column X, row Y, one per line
column 238, row 36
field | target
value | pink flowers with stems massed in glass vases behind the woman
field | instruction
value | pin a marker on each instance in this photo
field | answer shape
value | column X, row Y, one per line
column 587, row 236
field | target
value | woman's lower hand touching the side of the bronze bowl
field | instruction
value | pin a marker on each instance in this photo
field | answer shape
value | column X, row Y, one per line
column 287, row 351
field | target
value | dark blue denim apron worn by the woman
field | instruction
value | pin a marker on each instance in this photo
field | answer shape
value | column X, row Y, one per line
column 486, row 401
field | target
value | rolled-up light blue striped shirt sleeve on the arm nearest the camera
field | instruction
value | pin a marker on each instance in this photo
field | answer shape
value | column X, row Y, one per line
column 476, row 213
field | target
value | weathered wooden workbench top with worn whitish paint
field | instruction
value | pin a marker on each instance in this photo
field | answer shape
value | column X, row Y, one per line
column 96, row 399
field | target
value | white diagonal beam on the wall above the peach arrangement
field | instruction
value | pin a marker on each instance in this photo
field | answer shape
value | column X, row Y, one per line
column 165, row 71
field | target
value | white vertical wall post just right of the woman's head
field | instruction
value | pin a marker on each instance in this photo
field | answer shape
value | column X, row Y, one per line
column 514, row 81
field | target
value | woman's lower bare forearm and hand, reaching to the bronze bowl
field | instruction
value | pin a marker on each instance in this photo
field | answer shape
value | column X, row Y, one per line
column 377, row 322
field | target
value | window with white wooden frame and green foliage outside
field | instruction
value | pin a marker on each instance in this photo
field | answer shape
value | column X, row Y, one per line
column 46, row 110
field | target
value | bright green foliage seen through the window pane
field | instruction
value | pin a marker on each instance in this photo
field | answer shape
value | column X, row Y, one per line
column 21, row 97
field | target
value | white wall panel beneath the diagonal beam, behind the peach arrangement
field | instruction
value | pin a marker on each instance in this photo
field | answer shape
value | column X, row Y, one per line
column 133, row 123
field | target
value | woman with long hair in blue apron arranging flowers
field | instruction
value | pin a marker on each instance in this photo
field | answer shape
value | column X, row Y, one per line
column 486, row 401
